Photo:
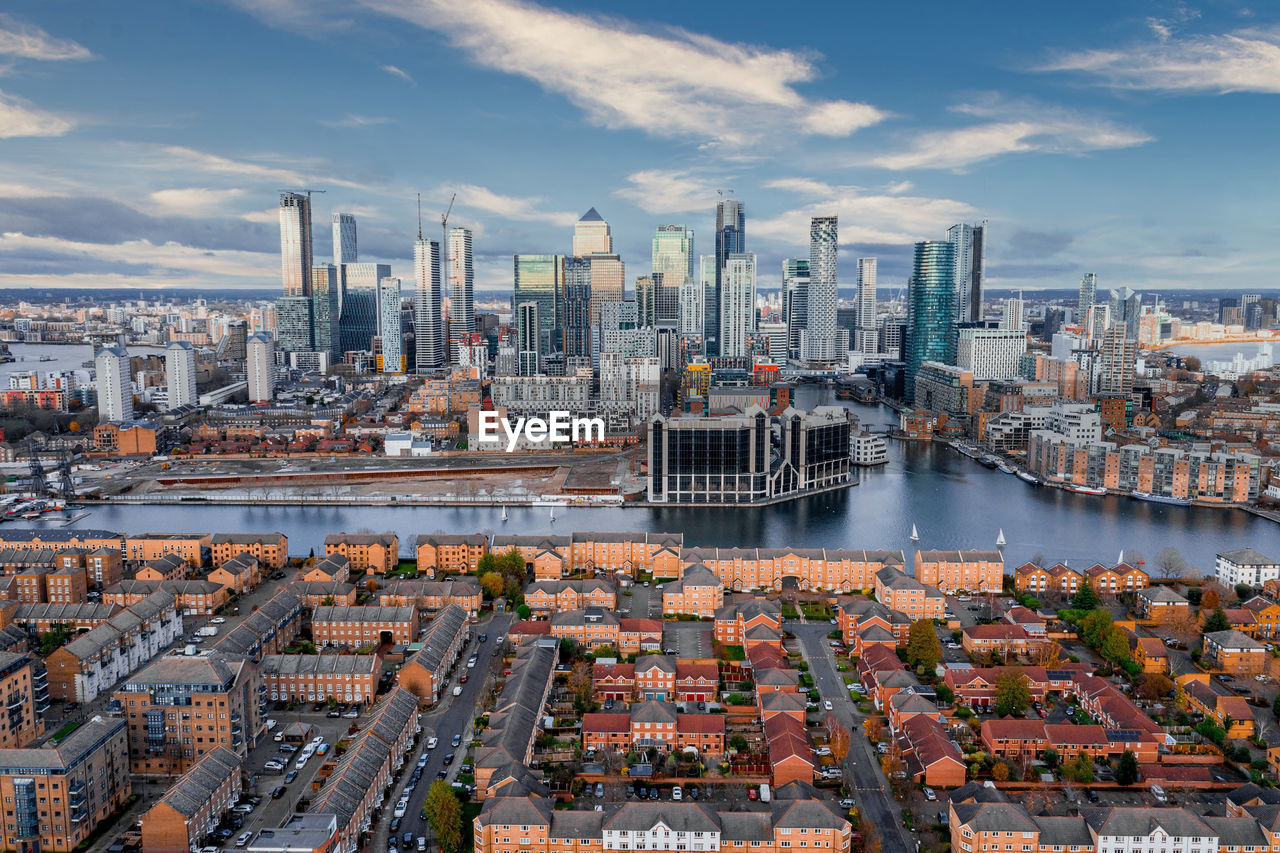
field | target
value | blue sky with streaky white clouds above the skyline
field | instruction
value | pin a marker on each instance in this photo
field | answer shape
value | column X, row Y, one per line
column 145, row 144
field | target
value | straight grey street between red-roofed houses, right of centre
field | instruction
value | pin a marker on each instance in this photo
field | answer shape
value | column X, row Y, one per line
column 871, row 786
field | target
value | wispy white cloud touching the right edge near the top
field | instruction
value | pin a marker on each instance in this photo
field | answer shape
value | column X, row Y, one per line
column 1247, row 61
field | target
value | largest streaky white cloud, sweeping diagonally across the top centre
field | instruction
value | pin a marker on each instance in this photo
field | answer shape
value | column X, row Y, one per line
column 678, row 85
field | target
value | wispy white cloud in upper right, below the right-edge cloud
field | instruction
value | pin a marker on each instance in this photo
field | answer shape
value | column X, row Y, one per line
column 1012, row 127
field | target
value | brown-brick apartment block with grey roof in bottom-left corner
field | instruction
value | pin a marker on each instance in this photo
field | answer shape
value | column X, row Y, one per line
column 57, row 797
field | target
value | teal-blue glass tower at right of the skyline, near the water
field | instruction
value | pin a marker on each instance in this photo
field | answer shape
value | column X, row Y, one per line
column 930, row 309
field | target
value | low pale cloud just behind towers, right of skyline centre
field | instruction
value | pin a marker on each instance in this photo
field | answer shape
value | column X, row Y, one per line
column 867, row 217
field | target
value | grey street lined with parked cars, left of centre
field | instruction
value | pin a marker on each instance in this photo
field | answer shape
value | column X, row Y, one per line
column 454, row 718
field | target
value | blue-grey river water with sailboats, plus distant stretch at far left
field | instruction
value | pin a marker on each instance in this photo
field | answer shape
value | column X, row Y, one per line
column 952, row 500
